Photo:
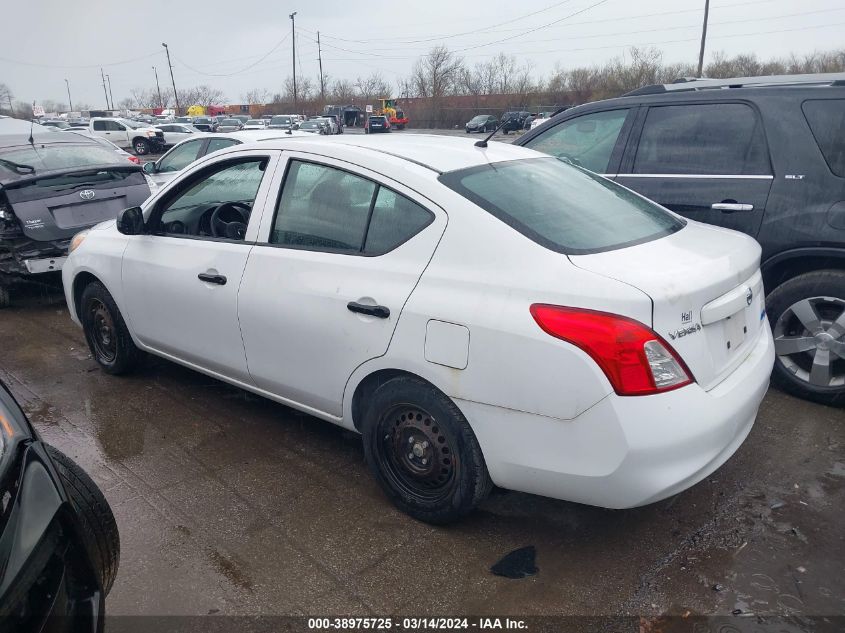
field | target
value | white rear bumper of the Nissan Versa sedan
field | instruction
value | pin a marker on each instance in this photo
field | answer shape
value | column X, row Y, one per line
column 625, row 451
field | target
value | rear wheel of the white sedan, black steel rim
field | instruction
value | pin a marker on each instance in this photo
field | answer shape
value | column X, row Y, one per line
column 442, row 476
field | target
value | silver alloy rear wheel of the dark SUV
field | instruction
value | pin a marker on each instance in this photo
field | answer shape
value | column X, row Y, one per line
column 810, row 310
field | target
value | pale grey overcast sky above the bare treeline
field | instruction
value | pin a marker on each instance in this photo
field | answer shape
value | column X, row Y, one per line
column 48, row 41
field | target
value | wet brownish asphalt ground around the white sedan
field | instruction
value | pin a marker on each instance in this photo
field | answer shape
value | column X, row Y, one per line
column 231, row 504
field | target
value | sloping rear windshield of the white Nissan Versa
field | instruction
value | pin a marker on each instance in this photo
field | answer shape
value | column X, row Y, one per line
column 562, row 207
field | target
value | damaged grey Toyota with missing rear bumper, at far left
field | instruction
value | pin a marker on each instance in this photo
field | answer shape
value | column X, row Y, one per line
column 52, row 186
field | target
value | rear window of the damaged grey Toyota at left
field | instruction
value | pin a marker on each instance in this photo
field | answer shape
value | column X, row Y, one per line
column 43, row 158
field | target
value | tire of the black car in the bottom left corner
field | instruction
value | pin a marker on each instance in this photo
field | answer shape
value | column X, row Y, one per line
column 98, row 528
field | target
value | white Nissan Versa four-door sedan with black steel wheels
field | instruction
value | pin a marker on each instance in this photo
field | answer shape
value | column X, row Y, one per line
column 482, row 315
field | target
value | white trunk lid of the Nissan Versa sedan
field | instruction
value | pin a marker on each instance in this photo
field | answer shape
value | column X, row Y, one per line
column 706, row 292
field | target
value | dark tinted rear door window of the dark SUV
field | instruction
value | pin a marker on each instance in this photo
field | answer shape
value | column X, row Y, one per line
column 702, row 139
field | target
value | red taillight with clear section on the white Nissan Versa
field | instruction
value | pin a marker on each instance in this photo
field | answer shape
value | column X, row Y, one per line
column 635, row 359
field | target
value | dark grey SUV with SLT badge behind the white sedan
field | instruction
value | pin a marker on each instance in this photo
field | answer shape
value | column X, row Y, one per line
column 762, row 155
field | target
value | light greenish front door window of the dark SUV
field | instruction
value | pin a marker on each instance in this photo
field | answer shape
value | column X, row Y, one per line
column 587, row 141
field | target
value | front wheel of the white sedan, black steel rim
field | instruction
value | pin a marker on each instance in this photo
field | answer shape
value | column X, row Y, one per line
column 105, row 331
